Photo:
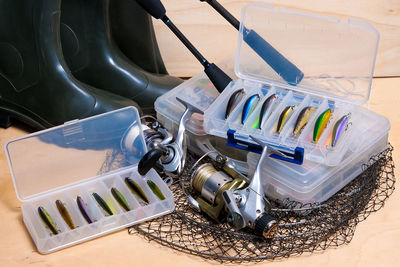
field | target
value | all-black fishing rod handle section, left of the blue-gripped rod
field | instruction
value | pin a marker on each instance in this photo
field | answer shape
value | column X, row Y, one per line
column 156, row 9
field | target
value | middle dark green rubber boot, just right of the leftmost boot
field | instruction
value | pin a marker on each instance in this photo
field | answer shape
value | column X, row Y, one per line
column 94, row 58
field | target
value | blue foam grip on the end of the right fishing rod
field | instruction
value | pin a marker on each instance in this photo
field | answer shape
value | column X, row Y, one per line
column 287, row 70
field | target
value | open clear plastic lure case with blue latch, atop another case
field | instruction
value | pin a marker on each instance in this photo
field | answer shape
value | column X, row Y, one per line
column 337, row 59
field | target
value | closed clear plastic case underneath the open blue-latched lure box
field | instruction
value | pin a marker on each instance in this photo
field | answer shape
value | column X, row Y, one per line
column 307, row 183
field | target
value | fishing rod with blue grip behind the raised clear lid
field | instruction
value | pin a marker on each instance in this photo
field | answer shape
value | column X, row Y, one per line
column 287, row 70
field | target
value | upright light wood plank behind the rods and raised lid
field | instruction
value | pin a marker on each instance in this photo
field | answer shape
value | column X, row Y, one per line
column 212, row 35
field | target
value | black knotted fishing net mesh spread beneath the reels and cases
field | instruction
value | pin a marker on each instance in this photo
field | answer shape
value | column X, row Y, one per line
column 302, row 228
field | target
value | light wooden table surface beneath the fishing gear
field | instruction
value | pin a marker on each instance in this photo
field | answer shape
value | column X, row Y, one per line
column 376, row 241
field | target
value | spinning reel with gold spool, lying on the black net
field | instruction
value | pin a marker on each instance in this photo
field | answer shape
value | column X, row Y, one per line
column 227, row 195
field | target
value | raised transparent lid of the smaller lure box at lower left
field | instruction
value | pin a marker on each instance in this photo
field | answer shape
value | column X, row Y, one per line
column 74, row 152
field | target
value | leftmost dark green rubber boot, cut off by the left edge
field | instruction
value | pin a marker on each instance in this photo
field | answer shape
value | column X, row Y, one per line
column 36, row 85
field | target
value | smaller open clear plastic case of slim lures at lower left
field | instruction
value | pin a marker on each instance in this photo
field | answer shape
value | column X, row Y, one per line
column 77, row 159
